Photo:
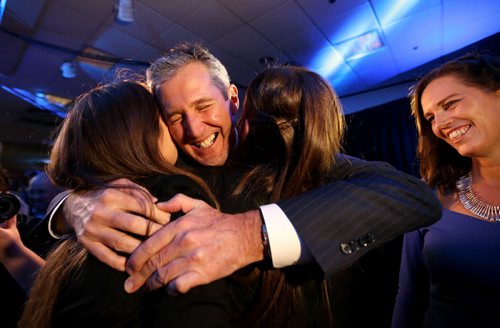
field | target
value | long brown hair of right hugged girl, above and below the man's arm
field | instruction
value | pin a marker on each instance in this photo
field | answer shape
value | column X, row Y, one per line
column 296, row 127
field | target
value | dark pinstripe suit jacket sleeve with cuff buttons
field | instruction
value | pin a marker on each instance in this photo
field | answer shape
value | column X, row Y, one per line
column 365, row 205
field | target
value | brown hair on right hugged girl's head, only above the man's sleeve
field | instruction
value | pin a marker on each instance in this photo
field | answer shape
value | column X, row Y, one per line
column 296, row 127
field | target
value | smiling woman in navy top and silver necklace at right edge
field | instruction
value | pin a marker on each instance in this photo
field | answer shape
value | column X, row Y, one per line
column 443, row 281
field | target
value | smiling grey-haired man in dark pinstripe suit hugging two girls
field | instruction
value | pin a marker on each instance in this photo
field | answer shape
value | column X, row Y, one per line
column 365, row 204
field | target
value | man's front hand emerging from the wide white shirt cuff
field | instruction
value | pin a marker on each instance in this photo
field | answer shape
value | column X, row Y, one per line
column 200, row 247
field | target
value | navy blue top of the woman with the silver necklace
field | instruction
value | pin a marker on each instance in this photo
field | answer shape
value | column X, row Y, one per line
column 450, row 274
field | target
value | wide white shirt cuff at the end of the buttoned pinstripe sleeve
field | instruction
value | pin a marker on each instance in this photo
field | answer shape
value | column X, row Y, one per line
column 286, row 246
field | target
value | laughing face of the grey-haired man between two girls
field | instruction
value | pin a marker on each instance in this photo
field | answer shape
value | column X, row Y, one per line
column 198, row 116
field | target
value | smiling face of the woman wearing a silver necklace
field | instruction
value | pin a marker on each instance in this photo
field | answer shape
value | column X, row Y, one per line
column 466, row 117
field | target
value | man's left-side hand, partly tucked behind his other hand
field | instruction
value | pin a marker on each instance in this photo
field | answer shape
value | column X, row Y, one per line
column 103, row 220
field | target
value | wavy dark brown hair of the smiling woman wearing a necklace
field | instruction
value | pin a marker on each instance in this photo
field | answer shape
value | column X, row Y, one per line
column 440, row 164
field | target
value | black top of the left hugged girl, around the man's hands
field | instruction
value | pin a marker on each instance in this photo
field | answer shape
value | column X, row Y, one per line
column 95, row 297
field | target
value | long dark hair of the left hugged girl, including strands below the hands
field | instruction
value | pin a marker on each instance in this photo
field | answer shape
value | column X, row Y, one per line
column 111, row 132
